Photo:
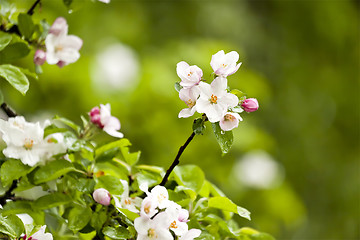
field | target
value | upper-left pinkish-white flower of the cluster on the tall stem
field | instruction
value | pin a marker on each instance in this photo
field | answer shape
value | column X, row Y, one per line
column 189, row 75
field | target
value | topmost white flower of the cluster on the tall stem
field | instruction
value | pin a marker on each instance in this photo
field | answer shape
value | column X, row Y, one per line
column 225, row 64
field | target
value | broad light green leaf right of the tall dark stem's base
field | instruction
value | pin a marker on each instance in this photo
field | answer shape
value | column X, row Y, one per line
column 190, row 176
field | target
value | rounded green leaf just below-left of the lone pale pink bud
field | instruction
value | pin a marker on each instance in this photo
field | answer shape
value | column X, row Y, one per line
column 78, row 218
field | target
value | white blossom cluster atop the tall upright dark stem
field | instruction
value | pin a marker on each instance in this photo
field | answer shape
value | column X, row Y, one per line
column 213, row 99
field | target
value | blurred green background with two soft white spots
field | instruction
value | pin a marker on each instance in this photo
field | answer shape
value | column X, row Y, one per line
column 294, row 163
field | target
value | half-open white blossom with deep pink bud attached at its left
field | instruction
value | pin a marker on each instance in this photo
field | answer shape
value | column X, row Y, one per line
column 103, row 119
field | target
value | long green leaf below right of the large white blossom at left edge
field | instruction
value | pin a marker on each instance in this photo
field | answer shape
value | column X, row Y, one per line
column 52, row 170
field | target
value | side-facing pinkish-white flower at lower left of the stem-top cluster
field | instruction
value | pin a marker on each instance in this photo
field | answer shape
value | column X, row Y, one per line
column 189, row 96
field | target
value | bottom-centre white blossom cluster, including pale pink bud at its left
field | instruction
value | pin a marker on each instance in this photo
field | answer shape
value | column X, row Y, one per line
column 160, row 218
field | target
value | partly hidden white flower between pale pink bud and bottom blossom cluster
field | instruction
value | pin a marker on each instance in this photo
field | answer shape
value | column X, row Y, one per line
column 125, row 201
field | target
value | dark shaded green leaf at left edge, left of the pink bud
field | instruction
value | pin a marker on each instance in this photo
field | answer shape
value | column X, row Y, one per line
column 14, row 51
